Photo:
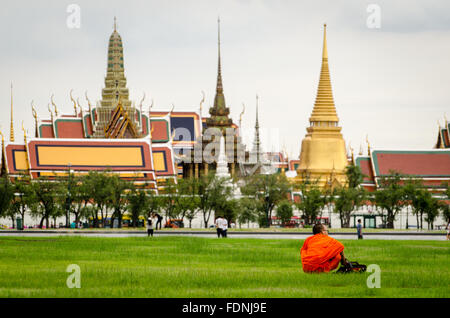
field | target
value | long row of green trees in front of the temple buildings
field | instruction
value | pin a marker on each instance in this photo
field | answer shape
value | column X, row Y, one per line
column 102, row 196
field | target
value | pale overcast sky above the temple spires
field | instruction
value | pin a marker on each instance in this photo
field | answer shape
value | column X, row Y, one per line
column 392, row 83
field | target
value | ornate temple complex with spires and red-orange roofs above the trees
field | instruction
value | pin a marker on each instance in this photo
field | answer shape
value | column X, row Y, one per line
column 150, row 146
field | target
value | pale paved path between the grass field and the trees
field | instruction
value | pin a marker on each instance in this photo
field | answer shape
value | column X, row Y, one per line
column 264, row 235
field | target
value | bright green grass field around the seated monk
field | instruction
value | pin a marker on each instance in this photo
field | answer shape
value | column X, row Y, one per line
column 207, row 267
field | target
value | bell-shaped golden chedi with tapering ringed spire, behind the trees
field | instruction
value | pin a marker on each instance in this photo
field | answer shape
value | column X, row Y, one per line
column 323, row 154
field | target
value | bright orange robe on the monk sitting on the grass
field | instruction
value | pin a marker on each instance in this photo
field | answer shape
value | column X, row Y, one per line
column 320, row 253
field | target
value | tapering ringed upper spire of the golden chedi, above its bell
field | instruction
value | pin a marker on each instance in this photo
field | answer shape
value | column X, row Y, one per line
column 324, row 108
